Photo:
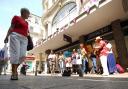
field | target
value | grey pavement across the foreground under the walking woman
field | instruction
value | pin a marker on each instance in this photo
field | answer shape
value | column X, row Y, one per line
column 58, row 82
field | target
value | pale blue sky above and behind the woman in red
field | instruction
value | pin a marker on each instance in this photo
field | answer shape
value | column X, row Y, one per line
column 9, row 8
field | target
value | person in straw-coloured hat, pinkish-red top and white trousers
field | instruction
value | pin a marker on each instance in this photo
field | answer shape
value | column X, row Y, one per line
column 103, row 53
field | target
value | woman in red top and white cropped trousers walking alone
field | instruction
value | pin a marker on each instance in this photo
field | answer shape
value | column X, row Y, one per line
column 18, row 33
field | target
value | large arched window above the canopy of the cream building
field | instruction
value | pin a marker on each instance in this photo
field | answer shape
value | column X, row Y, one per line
column 65, row 11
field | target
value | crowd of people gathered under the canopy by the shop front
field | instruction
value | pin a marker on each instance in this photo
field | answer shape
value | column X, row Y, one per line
column 77, row 62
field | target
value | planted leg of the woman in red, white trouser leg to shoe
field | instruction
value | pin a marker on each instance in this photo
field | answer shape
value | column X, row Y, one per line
column 14, row 54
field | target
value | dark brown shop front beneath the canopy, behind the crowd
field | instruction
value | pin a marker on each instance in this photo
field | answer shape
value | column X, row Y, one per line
column 118, row 40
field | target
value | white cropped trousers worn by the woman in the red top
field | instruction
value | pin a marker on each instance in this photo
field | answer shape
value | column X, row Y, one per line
column 18, row 48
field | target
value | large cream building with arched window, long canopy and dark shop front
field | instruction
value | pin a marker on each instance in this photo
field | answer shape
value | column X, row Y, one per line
column 82, row 21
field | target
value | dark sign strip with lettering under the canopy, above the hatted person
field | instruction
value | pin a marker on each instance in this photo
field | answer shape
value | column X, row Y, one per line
column 98, row 32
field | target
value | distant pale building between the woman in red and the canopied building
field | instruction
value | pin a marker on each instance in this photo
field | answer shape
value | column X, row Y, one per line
column 36, row 32
